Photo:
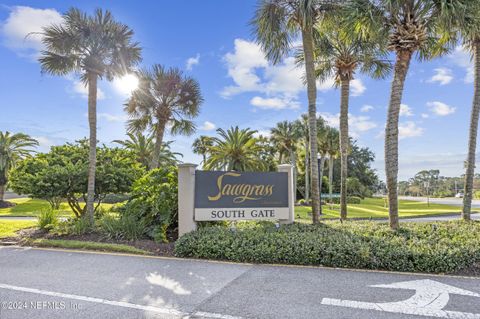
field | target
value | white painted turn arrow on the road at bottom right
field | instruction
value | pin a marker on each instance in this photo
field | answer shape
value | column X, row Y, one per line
column 429, row 300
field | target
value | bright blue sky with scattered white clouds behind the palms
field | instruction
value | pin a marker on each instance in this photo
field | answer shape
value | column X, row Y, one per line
column 212, row 42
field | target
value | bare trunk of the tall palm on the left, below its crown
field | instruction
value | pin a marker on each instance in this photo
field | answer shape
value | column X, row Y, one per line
column 92, row 156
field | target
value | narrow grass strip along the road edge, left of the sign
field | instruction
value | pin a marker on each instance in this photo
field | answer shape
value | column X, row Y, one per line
column 88, row 245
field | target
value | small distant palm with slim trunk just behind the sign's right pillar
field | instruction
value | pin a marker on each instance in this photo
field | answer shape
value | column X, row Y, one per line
column 285, row 136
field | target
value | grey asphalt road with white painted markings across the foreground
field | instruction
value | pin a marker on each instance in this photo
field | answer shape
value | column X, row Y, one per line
column 38, row 283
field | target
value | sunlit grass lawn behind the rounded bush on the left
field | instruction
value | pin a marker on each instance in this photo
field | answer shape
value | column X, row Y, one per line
column 32, row 207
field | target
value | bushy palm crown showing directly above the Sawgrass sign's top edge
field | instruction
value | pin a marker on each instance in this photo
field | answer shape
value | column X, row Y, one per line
column 235, row 149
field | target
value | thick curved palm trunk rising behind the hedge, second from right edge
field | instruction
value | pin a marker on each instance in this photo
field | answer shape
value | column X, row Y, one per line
column 391, row 134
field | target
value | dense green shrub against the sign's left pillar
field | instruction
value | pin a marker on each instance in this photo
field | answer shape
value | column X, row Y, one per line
column 155, row 201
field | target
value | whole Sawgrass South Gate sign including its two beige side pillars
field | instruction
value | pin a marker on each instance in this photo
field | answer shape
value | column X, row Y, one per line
column 215, row 195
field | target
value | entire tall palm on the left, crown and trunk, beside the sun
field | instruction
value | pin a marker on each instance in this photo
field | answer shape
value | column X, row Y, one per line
column 93, row 47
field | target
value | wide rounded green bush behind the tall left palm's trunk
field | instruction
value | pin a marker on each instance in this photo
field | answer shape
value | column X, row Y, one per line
column 62, row 174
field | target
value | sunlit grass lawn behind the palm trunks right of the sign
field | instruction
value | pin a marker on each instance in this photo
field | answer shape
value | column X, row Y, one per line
column 375, row 208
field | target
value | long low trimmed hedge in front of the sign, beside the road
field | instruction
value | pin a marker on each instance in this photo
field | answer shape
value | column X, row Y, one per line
column 436, row 247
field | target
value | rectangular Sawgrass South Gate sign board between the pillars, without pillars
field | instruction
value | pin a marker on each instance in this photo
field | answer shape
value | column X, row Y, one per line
column 241, row 195
